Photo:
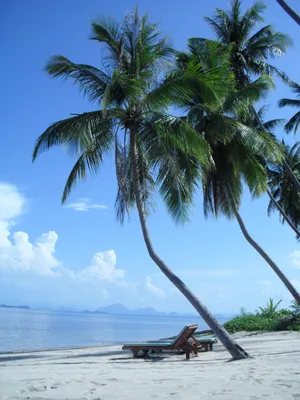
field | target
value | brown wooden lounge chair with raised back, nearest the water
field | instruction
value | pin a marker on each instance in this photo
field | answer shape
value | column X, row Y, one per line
column 180, row 343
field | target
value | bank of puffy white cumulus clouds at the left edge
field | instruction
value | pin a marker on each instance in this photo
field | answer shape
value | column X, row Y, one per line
column 18, row 253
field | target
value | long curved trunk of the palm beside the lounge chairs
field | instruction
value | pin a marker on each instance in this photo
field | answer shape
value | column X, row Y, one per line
column 234, row 349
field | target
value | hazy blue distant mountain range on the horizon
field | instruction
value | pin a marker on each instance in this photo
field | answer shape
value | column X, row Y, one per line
column 120, row 309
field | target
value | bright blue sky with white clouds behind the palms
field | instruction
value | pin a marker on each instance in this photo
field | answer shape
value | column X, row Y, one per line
column 77, row 256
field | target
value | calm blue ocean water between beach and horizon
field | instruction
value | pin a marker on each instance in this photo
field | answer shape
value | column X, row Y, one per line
column 32, row 329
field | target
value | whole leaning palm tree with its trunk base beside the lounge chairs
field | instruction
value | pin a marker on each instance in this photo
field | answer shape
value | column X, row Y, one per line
column 152, row 148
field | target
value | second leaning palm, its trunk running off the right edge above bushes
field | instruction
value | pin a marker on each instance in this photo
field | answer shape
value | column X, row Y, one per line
column 236, row 149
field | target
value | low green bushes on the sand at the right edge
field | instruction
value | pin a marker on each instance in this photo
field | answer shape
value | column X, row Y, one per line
column 268, row 318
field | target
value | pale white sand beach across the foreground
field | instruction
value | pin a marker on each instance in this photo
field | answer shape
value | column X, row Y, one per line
column 107, row 373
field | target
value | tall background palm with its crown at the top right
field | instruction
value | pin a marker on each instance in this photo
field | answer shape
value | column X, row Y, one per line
column 250, row 52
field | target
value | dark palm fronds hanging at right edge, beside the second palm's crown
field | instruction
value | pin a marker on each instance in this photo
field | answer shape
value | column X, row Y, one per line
column 282, row 189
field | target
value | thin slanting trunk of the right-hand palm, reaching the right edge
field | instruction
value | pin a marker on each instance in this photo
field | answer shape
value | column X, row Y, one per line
column 265, row 256
